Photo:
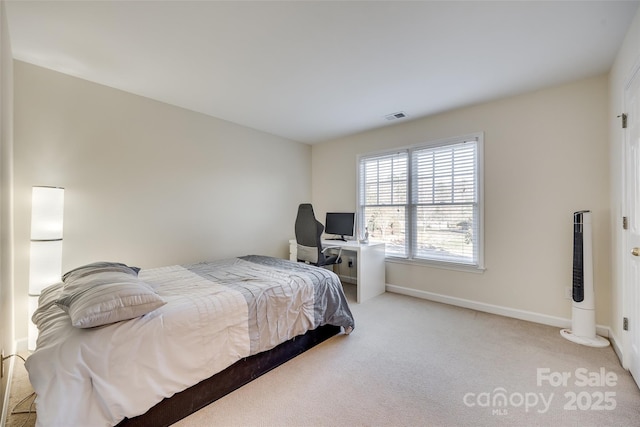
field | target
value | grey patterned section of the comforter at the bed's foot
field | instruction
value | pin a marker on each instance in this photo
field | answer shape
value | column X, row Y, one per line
column 272, row 290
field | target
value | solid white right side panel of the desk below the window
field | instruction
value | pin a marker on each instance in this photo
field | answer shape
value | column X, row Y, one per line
column 371, row 273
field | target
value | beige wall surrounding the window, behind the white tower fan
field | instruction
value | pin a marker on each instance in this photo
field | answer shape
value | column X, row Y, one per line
column 545, row 157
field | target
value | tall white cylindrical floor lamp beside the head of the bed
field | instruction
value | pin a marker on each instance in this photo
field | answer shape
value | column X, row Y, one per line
column 45, row 263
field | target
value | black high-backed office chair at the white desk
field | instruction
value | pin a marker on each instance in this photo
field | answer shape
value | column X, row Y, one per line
column 308, row 236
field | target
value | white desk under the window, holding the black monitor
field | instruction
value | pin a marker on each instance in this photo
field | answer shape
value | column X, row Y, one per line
column 370, row 280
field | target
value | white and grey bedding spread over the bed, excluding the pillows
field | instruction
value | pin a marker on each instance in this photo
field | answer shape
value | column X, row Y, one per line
column 98, row 376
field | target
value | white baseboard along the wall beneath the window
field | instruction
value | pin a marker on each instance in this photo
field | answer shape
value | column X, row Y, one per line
column 529, row 316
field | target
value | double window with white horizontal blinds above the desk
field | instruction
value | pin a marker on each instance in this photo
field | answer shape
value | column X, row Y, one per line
column 425, row 202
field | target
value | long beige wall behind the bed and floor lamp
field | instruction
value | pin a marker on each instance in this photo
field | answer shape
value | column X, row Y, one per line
column 147, row 183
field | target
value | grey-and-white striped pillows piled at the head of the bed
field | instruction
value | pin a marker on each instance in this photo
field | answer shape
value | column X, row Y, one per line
column 103, row 293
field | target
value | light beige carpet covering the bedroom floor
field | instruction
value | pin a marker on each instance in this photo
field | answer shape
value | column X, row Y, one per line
column 412, row 362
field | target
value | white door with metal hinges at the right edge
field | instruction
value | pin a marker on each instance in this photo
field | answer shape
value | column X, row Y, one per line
column 631, row 254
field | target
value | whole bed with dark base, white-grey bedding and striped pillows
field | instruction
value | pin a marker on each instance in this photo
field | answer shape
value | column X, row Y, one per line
column 121, row 345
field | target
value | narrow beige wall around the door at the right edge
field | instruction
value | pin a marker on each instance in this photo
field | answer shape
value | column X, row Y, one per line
column 627, row 60
